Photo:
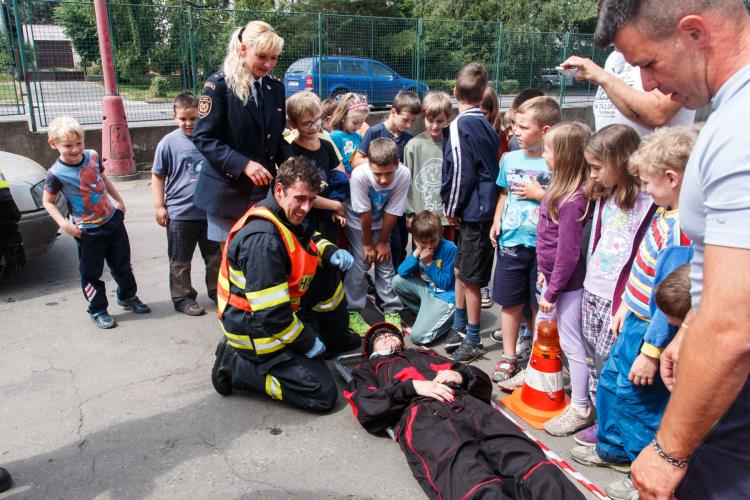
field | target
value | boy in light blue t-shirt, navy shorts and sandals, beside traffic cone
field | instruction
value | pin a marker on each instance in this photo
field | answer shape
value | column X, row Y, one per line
column 523, row 177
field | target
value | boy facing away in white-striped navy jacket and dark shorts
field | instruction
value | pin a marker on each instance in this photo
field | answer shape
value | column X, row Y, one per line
column 469, row 194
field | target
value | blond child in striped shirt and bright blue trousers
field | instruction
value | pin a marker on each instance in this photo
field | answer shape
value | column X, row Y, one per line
column 631, row 397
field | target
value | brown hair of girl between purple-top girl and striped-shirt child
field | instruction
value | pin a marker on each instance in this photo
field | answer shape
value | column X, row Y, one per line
column 613, row 146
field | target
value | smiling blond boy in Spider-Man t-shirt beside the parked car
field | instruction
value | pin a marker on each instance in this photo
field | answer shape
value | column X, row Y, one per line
column 97, row 225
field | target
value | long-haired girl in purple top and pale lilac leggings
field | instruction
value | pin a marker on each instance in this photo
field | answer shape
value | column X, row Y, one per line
column 562, row 265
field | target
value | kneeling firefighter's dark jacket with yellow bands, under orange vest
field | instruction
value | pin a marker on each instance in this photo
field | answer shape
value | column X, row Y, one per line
column 258, row 252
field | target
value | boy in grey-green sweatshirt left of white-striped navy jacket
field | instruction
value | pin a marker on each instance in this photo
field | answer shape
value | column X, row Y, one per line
column 423, row 156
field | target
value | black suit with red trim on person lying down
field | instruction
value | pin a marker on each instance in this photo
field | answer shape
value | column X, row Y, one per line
column 461, row 449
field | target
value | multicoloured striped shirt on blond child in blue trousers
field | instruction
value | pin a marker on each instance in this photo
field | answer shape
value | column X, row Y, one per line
column 664, row 231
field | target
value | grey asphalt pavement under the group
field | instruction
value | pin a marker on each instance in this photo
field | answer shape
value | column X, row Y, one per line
column 131, row 413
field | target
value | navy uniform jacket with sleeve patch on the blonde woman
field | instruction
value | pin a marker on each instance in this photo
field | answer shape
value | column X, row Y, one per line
column 229, row 134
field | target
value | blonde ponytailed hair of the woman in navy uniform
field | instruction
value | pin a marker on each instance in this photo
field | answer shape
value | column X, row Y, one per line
column 256, row 35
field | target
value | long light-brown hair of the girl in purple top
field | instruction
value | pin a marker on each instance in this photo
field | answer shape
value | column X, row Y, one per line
column 568, row 141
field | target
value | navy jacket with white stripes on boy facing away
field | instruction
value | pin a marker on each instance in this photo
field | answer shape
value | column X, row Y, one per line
column 470, row 168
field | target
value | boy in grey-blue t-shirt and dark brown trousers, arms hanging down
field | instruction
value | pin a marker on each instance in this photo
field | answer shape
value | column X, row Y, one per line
column 177, row 163
